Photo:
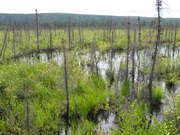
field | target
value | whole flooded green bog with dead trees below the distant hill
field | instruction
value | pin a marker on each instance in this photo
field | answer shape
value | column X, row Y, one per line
column 69, row 80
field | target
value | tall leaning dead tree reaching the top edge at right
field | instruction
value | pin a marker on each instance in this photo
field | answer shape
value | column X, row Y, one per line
column 158, row 41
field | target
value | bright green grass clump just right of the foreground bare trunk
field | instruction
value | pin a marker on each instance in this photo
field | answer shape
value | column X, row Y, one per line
column 91, row 95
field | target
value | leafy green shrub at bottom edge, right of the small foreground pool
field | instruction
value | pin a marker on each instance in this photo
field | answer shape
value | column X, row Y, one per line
column 132, row 120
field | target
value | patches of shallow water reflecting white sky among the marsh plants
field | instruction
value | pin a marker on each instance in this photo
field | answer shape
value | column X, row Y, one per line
column 117, row 60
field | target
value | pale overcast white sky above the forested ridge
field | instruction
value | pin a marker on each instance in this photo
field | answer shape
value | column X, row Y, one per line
column 98, row 7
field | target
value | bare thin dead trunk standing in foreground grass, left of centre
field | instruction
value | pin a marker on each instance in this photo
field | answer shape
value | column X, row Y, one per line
column 66, row 83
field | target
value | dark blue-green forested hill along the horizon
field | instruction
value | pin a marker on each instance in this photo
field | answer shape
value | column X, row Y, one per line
column 61, row 19
